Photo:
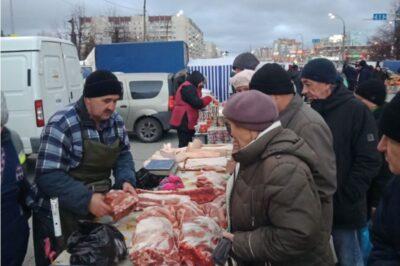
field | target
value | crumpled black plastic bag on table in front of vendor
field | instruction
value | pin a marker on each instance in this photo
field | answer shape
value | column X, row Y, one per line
column 96, row 244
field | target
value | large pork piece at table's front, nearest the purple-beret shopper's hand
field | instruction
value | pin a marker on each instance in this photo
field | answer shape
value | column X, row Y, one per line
column 197, row 240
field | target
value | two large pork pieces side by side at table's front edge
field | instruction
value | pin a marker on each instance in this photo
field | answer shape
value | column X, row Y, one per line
column 174, row 235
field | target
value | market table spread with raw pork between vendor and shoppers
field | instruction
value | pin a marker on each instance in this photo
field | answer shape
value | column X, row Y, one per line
column 179, row 226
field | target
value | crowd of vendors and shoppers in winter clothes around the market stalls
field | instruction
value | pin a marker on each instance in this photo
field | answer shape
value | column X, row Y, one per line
column 314, row 183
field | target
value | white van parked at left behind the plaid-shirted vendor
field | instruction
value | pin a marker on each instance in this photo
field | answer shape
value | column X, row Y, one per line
column 39, row 76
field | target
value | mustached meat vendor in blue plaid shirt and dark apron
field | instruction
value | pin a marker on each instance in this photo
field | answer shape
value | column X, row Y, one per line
column 79, row 148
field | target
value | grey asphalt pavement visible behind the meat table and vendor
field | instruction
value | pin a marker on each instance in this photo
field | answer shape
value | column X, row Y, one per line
column 140, row 151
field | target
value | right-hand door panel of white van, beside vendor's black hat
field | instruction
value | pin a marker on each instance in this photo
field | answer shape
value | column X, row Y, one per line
column 73, row 76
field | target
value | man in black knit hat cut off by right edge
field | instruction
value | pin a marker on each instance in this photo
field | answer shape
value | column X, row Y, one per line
column 386, row 229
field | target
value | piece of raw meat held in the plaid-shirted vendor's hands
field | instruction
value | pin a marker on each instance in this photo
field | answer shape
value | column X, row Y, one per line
column 121, row 202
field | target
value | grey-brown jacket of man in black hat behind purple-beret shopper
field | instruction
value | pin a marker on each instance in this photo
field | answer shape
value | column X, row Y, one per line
column 311, row 127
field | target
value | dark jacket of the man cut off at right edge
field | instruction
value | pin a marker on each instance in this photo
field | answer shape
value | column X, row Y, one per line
column 386, row 228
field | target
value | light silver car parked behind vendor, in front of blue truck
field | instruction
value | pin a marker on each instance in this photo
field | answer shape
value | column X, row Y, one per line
column 147, row 103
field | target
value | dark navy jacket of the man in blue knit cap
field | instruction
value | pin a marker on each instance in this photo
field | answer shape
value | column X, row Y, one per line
column 355, row 138
